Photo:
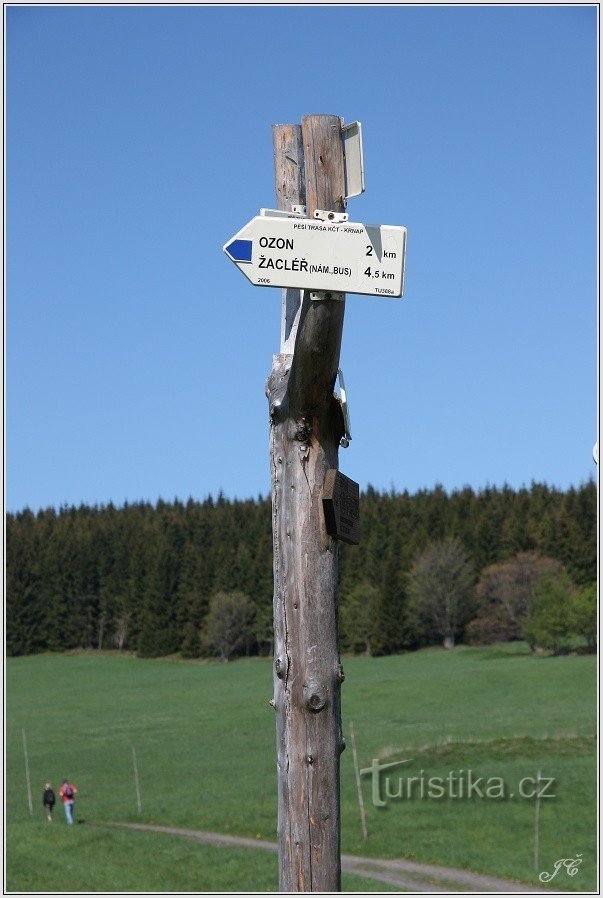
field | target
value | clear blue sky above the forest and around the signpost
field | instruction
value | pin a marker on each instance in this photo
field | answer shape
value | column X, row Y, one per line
column 139, row 140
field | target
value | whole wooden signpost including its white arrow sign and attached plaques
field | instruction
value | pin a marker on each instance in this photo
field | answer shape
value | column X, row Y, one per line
column 309, row 248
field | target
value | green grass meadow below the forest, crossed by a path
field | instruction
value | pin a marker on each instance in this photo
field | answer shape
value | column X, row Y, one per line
column 204, row 738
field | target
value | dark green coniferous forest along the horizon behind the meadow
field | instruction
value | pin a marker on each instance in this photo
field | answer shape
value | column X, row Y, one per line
column 142, row 577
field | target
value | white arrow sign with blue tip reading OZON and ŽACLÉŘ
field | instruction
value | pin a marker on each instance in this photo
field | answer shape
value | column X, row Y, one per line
column 341, row 257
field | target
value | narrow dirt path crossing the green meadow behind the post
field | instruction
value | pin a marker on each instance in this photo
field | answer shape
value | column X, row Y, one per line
column 421, row 878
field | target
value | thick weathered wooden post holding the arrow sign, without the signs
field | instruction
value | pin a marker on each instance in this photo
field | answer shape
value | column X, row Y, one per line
column 306, row 424
